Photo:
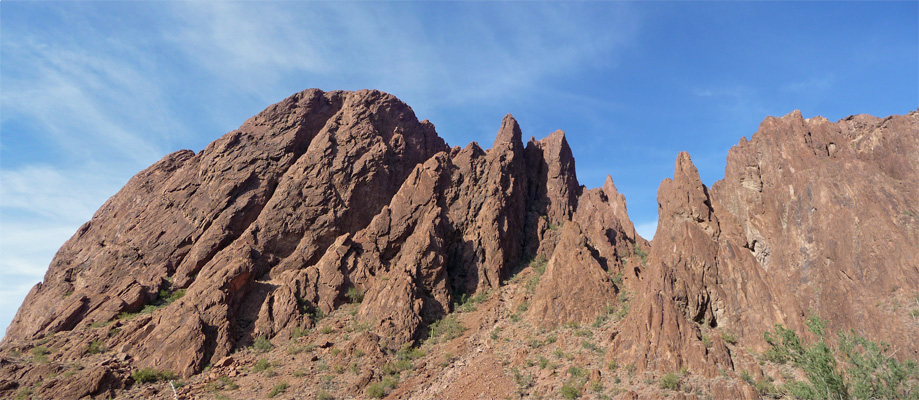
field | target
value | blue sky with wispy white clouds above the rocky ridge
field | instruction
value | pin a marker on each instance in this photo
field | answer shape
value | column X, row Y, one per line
column 91, row 93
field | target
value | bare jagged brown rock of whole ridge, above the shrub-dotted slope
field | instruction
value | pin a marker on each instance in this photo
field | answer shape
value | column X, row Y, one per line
column 331, row 194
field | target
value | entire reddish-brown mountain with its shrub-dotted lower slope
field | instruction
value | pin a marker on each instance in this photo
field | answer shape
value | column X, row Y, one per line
column 335, row 247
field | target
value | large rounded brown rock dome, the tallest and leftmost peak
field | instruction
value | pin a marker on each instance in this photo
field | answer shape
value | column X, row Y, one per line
column 279, row 187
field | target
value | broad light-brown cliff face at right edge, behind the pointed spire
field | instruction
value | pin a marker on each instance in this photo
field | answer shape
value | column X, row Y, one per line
column 829, row 211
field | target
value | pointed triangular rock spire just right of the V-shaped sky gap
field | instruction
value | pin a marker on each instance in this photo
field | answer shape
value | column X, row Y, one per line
column 696, row 282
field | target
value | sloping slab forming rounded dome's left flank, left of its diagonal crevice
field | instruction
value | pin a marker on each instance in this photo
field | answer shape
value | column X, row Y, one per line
column 172, row 216
